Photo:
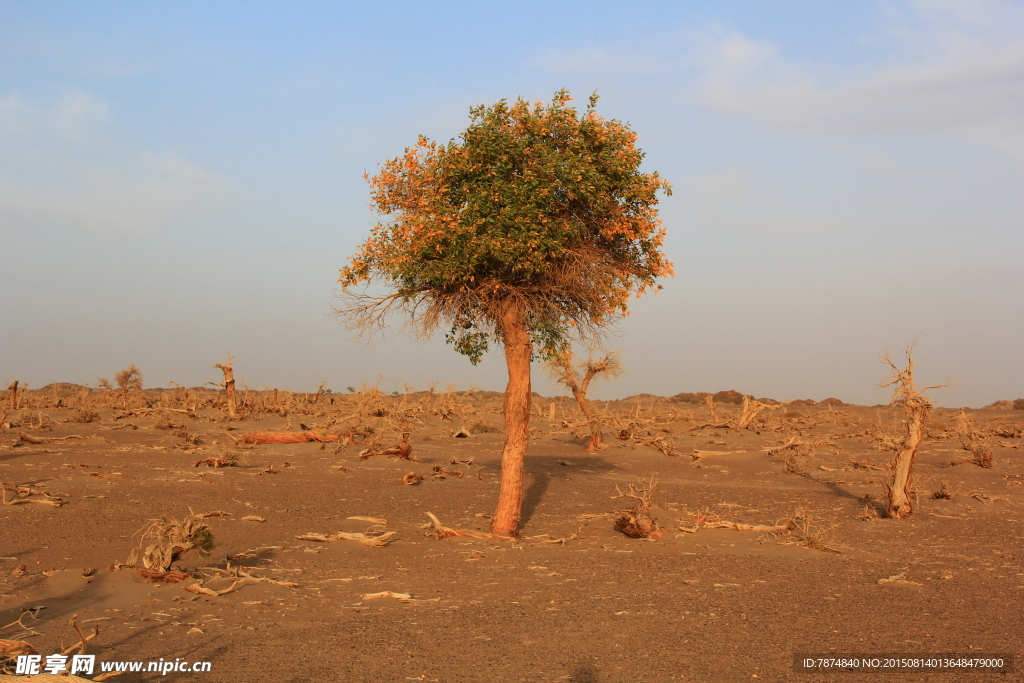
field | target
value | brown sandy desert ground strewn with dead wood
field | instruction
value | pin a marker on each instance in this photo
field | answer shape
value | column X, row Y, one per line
column 573, row 601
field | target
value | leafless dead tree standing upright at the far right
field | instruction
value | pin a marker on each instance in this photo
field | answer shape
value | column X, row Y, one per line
column 917, row 408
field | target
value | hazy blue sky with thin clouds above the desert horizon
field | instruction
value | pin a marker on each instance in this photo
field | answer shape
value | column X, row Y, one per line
column 183, row 180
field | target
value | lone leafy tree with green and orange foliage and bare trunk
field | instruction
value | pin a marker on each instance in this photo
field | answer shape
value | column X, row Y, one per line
column 535, row 228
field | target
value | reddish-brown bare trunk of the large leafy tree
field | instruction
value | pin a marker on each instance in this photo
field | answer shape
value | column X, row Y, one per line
column 518, row 399
